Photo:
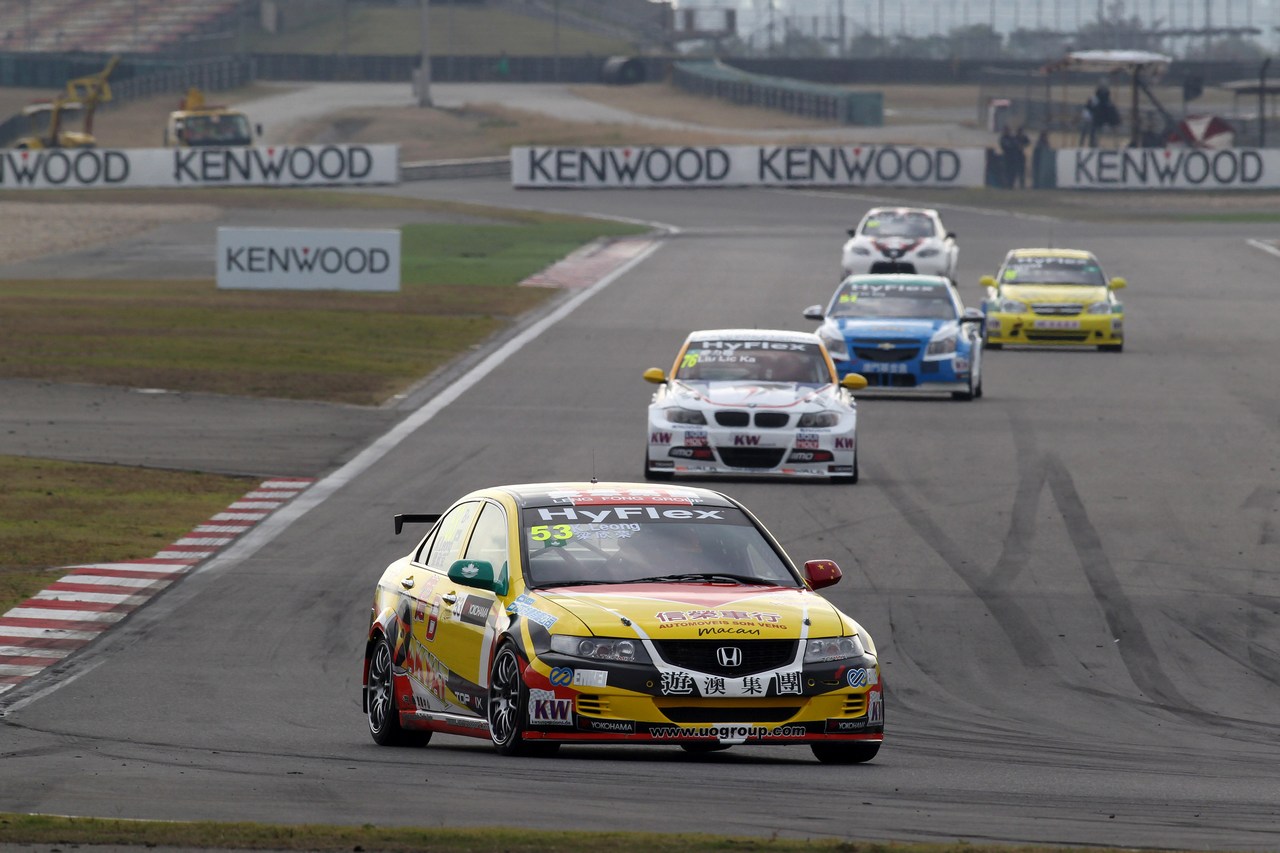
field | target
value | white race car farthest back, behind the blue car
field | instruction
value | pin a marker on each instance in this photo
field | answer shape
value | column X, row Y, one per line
column 900, row 240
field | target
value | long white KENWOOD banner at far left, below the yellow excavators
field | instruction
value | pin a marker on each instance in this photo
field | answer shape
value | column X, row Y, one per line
column 250, row 167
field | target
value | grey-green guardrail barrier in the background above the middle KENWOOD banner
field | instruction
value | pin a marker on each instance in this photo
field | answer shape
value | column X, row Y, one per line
column 799, row 98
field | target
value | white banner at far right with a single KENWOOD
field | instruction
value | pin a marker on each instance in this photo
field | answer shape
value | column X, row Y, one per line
column 1169, row 170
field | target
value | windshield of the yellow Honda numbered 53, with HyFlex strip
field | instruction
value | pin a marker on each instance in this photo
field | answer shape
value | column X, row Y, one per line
column 605, row 544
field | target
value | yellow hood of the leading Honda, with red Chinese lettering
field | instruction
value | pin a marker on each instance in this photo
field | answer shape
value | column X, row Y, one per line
column 701, row 612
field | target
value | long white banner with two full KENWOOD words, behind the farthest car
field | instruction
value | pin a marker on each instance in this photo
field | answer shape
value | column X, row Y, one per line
column 744, row 166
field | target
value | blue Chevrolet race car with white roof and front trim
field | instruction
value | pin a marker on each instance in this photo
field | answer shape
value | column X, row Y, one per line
column 906, row 334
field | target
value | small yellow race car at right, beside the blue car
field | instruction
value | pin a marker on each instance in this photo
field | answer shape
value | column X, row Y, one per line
column 1057, row 298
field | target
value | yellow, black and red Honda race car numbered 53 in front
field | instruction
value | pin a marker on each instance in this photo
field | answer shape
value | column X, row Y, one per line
column 612, row 613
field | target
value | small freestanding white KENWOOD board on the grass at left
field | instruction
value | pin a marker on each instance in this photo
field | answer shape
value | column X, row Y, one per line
column 309, row 259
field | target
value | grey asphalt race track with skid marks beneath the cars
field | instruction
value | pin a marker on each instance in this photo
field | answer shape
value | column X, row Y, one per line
column 1075, row 582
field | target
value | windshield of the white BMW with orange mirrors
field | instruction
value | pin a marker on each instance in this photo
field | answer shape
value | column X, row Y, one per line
column 753, row 362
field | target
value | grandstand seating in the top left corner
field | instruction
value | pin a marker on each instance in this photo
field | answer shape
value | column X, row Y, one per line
column 111, row 26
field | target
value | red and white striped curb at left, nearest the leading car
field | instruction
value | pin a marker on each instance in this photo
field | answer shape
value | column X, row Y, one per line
column 89, row 600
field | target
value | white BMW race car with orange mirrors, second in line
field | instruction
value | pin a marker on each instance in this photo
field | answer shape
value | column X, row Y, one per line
column 753, row 403
